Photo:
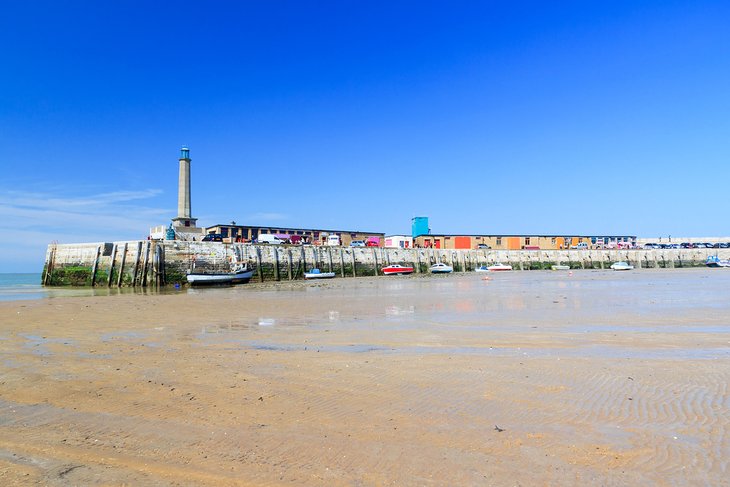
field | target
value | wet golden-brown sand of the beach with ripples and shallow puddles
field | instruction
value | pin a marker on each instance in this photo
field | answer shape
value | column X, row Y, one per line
column 530, row 378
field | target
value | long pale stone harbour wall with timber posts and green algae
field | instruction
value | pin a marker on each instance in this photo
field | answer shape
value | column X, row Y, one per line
column 153, row 262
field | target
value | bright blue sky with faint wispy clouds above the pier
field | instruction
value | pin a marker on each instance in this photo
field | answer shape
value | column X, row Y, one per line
column 505, row 117
